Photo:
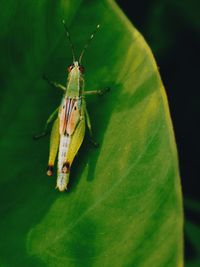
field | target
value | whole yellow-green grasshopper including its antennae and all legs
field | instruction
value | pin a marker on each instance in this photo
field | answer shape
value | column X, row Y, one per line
column 70, row 118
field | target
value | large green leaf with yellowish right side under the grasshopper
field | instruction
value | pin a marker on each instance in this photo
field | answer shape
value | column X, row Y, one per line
column 124, row 207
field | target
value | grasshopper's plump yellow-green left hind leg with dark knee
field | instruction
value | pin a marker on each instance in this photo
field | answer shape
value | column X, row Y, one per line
column 54, row 143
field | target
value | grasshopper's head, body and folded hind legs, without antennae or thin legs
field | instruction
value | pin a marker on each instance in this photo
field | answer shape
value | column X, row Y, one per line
column 69, row 128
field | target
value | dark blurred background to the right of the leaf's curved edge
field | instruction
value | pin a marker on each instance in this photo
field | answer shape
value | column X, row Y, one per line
column 172, row 30
